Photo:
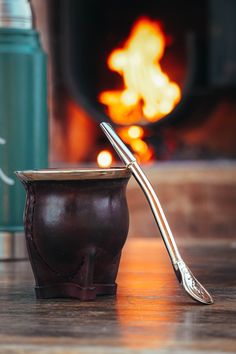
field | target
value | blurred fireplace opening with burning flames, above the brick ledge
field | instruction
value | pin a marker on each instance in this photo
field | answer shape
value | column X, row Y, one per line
column 197, row 58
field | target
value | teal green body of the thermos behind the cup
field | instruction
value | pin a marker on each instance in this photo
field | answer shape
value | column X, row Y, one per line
column 23, row 118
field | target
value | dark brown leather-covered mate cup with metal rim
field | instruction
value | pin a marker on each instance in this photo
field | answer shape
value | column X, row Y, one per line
column 76, row 224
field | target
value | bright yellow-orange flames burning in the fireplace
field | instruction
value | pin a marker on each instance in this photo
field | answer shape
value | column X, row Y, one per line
column 147, row 94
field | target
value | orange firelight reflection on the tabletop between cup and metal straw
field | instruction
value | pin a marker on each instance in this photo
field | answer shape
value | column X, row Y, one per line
column 145, row 314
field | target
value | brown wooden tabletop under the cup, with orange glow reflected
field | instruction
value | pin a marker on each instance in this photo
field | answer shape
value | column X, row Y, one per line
column 151, row 313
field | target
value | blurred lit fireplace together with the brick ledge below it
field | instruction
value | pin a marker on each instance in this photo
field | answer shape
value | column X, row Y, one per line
column 164, row 73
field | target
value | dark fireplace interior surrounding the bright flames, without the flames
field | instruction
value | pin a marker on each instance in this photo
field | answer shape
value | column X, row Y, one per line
column 200, row 56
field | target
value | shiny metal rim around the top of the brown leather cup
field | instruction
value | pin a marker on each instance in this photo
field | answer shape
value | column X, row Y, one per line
column 57, row 174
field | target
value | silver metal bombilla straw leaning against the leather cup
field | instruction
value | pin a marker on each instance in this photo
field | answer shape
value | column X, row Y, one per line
column 185, row 277
